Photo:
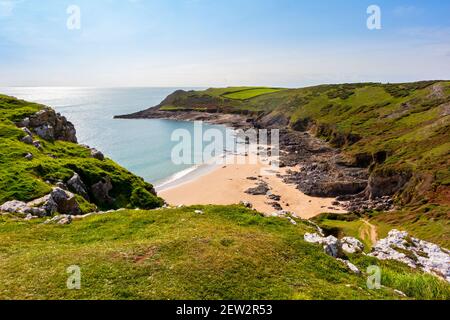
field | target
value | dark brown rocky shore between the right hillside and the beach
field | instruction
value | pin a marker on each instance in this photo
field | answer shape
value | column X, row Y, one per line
column 323, row 170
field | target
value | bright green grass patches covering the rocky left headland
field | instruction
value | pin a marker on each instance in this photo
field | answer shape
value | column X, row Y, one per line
column 24, row 180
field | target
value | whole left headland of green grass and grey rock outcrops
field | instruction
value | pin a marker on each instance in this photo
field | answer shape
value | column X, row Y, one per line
column 46, row 172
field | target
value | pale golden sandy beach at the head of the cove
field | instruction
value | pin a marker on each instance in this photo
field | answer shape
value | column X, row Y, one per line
column 227, row 184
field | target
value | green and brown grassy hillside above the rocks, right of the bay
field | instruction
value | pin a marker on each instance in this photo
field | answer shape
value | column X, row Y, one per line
column 407, row 121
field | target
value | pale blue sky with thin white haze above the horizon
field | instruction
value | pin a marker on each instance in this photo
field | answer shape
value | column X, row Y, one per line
column 221, row 42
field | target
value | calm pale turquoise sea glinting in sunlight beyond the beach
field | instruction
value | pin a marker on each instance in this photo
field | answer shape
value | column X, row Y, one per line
column 142, row 146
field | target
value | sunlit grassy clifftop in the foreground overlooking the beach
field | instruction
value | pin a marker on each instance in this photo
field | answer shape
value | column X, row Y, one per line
column 226, row 253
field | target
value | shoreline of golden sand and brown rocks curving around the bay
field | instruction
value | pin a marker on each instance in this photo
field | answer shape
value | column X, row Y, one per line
column 305, row 191
